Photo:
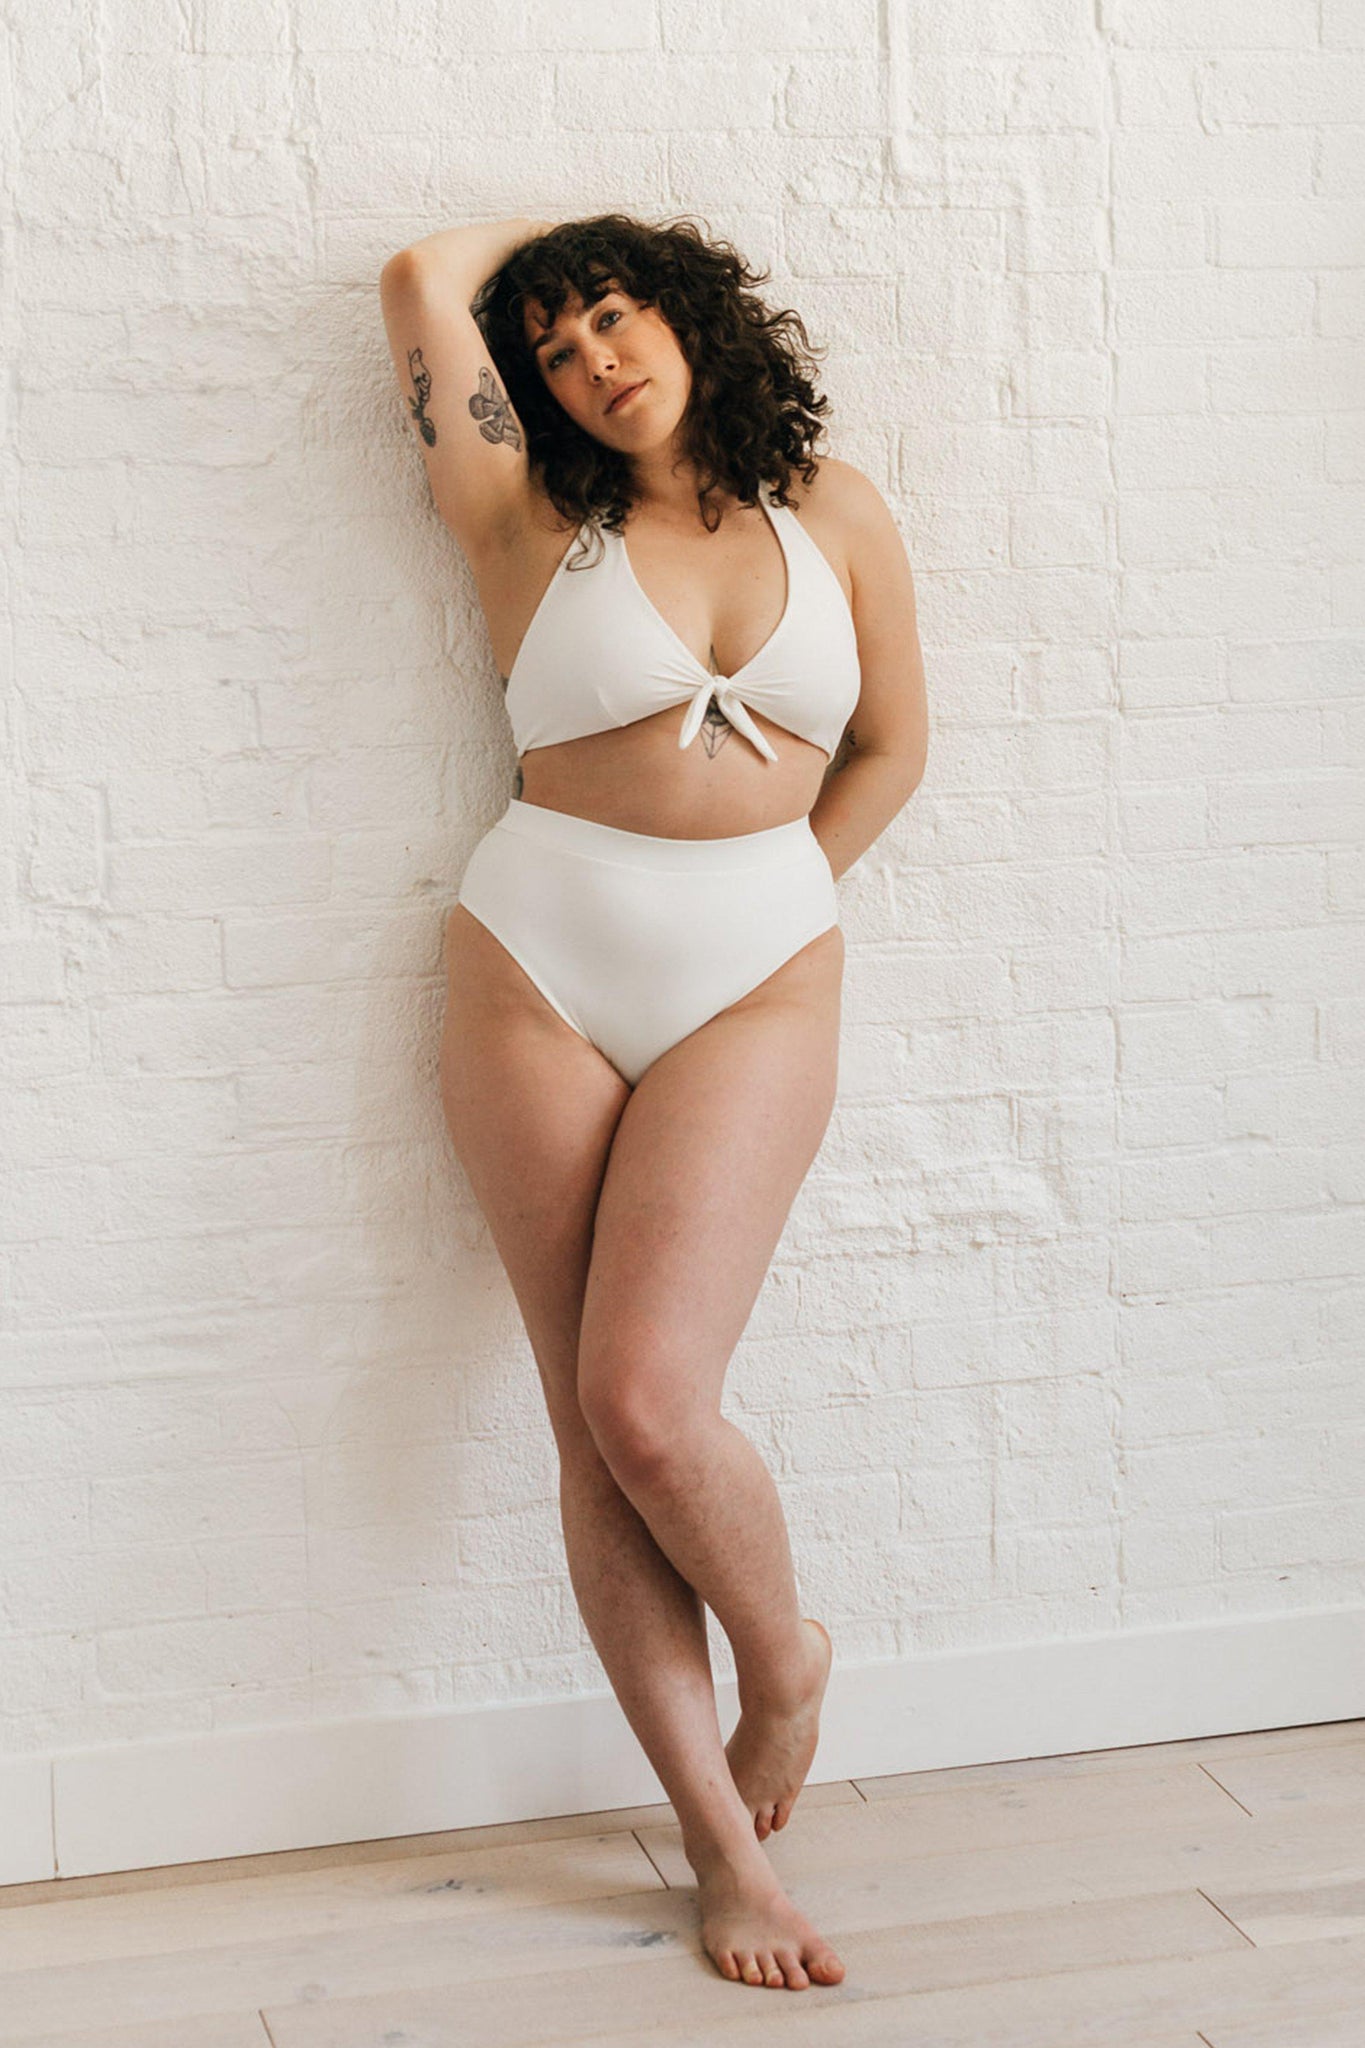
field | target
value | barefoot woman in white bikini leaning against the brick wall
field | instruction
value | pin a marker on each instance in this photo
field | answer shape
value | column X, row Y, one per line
column 646, row 964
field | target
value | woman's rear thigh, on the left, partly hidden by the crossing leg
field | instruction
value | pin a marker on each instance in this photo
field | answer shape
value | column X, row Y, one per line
column 531, row 1109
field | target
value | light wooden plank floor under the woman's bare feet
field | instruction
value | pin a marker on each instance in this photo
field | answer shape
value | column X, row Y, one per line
column 1190, row 1895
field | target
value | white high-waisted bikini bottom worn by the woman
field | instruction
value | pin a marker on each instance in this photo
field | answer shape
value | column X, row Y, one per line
column 637, row 941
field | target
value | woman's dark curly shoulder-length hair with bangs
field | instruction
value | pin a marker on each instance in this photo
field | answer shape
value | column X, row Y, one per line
column 754, row 413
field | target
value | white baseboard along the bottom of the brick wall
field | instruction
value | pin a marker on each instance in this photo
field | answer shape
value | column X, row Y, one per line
column 304, row 1785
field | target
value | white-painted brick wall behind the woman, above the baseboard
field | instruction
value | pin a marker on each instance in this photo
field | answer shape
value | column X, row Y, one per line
column 1065, row 1332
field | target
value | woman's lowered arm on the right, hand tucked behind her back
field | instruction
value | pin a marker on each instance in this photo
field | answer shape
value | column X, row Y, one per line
column 883, row 755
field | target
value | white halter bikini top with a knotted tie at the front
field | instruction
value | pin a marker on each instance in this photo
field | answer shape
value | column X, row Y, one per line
column 599, row 654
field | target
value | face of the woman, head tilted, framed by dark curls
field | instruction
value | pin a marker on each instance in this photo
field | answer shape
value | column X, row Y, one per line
column 595, row 353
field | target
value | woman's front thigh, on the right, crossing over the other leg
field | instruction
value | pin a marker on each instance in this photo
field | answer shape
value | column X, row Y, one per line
column 705, row 1164
